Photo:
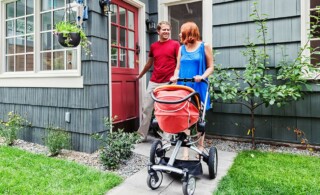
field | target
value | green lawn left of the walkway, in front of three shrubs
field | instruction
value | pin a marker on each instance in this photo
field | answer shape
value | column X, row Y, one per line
column 26, row 173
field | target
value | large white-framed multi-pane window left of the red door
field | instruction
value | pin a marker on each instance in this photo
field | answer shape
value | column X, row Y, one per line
column 30, row 49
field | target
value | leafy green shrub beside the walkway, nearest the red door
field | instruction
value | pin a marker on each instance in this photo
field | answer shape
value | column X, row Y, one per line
column 116, row 145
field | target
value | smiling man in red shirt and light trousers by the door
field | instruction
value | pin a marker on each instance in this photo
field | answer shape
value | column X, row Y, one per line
column 163, row 55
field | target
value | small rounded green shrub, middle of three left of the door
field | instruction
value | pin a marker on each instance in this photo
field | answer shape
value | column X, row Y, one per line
column 56, row 140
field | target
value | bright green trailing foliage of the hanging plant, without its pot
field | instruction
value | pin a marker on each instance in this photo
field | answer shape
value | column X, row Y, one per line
column 66, row 27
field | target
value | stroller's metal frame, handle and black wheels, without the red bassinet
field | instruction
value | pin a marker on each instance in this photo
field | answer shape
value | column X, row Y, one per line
column 159, row 163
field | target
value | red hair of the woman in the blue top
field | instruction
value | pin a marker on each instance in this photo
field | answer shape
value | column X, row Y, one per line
column 189, row 33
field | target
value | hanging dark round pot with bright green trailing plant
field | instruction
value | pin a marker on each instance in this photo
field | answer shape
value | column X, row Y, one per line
column 71, row 35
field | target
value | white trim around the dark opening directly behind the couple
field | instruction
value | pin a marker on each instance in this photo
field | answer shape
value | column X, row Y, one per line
column 206, row 13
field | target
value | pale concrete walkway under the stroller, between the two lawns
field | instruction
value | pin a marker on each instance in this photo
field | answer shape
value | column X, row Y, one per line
column 137, row 183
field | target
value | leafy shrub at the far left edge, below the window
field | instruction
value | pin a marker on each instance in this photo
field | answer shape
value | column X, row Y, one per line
column 10, row 129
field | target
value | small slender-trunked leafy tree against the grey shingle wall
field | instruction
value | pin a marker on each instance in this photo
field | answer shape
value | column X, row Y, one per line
column 256, row 85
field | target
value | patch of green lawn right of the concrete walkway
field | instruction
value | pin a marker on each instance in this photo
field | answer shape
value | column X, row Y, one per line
column 255, row 172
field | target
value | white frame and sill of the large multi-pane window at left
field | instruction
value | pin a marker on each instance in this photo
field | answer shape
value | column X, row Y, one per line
column 36, row 78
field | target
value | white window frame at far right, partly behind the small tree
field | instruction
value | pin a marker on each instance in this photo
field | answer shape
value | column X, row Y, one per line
column 305, row 25
